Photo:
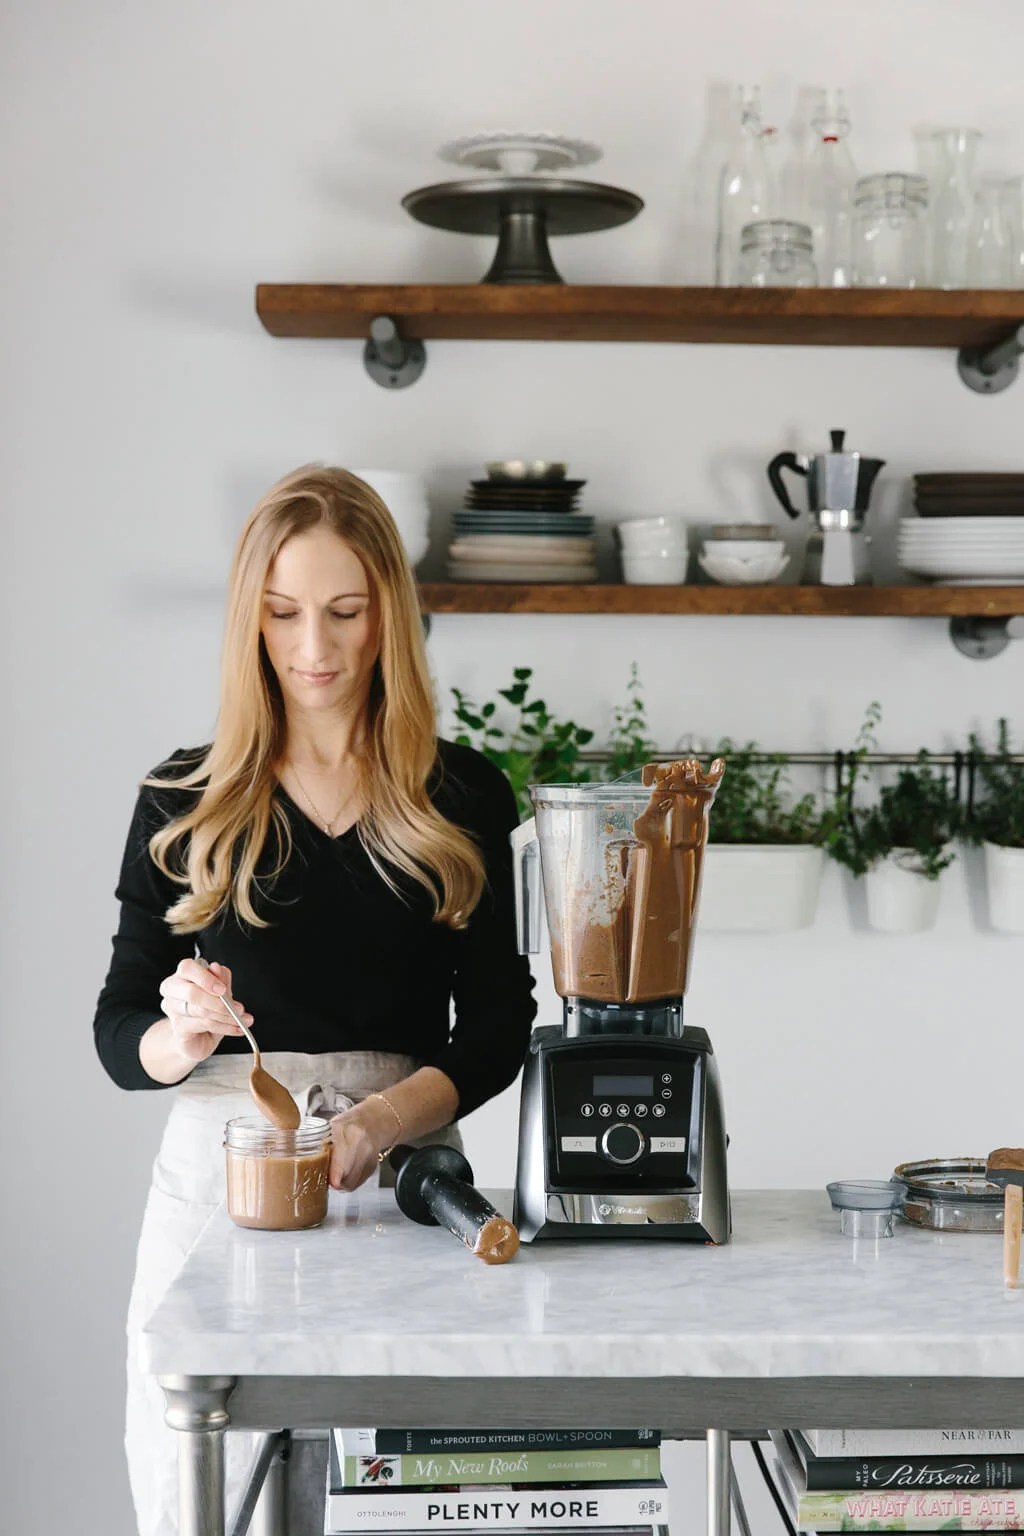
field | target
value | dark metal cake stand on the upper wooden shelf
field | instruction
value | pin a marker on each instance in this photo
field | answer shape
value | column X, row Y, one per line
column 524, row 213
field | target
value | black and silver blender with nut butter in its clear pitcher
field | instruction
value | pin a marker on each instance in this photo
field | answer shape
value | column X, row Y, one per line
column 621, row 1125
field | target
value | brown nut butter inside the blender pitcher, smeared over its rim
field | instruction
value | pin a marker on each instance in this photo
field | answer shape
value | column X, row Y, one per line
column 633, row 945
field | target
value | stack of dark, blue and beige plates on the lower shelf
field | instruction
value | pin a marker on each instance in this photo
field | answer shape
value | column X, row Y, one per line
column 523, row 528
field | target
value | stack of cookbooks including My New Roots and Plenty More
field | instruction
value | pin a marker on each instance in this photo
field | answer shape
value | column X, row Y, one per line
column 480, row 1481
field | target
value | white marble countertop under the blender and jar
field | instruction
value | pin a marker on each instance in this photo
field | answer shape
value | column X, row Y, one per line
column 372, row 1294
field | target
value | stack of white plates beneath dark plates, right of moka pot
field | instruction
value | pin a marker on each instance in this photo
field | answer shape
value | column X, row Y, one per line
column 973, row 551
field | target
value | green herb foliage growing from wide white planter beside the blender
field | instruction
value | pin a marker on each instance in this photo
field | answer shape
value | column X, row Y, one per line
column 755, row 803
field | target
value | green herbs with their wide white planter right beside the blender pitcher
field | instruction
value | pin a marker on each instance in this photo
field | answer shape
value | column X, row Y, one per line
column 765, row 859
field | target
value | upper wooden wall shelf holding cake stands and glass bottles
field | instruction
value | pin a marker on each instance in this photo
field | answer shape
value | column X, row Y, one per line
column 581, row 313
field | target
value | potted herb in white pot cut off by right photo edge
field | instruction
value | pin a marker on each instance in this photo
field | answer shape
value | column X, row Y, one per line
column 997, row 823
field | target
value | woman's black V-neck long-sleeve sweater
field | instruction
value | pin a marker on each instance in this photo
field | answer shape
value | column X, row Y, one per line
column 346, row 964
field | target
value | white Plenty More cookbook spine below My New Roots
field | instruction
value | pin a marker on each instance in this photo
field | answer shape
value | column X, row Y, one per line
column 495, row 1509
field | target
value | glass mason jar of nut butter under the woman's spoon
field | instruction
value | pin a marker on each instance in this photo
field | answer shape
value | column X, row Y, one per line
column 277, row 1180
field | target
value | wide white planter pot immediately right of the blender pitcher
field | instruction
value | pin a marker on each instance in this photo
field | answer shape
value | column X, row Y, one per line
column 759, row 887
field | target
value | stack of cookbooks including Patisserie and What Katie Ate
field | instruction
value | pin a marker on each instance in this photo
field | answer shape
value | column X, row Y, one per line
column 902, row 1480
